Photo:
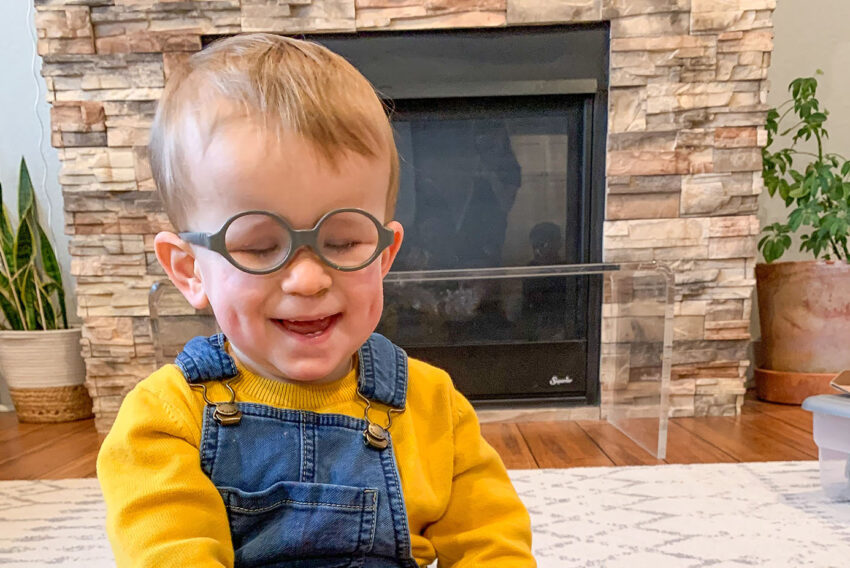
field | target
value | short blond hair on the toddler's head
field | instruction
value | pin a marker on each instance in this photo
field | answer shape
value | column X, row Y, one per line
column 288, row 84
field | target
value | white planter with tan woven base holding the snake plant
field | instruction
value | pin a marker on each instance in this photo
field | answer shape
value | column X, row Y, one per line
column 45, row 374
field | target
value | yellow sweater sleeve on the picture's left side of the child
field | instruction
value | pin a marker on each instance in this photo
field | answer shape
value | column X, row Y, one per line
column 161, row 509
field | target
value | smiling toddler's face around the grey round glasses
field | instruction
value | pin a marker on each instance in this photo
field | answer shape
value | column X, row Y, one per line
column 304, row 321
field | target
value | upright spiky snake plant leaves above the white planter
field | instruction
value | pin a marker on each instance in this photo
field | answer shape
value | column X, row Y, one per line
column 31, row 293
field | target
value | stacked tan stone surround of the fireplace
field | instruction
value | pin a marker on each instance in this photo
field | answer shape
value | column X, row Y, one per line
column 686, row 96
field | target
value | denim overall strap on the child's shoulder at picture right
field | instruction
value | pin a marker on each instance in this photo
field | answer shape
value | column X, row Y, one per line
column 383, row 372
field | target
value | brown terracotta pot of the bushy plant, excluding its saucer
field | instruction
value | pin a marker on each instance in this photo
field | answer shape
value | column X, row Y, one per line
column 804, row 311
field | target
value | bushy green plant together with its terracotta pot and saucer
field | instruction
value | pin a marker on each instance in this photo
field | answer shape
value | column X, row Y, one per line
column 804, row 307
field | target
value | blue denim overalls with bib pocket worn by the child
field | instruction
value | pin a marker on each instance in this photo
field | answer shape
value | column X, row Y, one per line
column 304, row 489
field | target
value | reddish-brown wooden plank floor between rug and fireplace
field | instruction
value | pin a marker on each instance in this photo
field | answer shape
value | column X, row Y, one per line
column 764, row 432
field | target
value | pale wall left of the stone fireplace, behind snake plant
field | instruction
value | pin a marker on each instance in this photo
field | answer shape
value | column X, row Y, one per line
column 22, row 135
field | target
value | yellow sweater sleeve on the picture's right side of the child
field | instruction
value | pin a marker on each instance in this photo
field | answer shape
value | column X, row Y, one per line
column 485, row 523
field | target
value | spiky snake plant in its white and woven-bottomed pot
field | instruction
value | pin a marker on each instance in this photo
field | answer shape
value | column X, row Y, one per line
column 39, row 356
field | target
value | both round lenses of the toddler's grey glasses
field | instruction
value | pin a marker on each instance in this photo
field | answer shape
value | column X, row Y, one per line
column 259, row 241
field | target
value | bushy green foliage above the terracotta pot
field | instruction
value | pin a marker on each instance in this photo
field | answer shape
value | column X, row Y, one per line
column 817, row 190
